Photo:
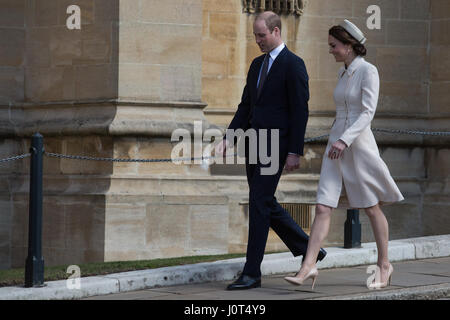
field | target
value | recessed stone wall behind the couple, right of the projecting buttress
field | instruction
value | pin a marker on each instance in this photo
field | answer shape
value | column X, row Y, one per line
column 412, row 38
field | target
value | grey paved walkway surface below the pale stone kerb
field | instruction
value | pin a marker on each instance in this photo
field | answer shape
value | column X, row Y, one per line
column 418, row 279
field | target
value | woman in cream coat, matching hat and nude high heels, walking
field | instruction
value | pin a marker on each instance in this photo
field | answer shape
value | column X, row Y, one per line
column 352, row 160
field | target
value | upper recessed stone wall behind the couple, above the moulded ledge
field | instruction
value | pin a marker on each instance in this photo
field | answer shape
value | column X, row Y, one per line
column 399, row 50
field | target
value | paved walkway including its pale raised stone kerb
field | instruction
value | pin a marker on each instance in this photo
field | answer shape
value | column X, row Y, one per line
column 421, row 265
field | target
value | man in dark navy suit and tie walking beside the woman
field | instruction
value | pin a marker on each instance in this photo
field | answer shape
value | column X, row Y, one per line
column 275, row 97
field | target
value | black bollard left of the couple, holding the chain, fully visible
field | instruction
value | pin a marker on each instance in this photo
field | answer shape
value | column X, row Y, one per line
column 34, row 266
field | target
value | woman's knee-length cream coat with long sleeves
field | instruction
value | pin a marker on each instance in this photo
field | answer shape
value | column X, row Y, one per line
column 361, row 171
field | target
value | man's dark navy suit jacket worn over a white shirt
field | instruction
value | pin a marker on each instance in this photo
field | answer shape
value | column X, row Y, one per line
column 282, row 104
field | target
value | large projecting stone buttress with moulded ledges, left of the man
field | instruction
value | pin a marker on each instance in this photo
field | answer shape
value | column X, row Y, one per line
column 117, row 87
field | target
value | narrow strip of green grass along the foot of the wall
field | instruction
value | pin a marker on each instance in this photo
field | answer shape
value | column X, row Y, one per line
column 13, row 277
